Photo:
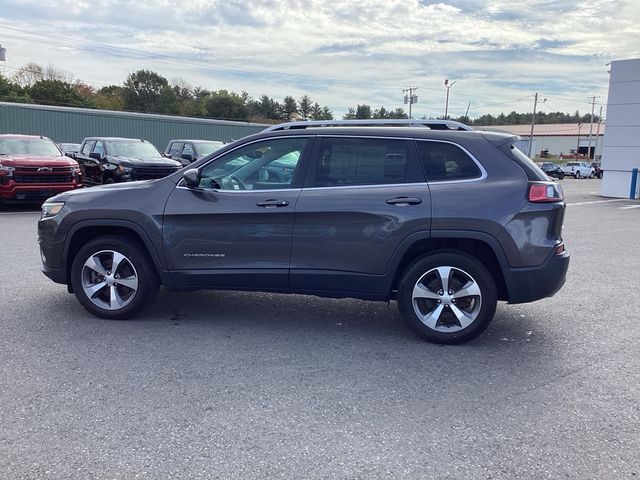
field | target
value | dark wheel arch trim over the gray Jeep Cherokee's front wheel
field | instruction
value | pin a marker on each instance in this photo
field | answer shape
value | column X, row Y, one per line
column 88, row 230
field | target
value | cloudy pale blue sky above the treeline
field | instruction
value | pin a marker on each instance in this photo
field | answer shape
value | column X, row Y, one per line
column 341, row 53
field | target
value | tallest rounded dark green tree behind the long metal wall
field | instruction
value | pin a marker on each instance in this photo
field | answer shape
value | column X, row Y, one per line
column 147, row 91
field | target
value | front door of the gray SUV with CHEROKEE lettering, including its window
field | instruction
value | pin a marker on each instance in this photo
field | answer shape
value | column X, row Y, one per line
column 235, row 230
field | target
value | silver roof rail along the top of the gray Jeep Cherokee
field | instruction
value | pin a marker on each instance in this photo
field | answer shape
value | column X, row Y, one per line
column 432, row 124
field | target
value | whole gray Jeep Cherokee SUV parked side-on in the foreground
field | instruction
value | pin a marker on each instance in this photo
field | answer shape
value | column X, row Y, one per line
column 444, row 219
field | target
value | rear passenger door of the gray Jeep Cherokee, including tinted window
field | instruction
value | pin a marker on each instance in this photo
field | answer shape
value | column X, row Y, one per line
column 362, row 197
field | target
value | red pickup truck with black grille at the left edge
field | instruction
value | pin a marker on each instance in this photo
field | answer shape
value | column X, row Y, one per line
column 33, row 168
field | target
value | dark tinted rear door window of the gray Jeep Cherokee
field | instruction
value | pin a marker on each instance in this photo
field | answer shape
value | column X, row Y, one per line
column 365, row 161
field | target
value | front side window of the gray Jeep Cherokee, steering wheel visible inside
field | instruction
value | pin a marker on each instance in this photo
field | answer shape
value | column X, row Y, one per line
column 265, row 165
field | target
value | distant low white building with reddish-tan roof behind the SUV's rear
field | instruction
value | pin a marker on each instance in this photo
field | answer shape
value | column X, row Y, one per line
column 557, row 138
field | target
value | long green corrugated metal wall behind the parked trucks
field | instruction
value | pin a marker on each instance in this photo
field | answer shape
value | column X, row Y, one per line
column 64, row 124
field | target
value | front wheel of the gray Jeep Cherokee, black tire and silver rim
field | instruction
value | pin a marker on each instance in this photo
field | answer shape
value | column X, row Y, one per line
column 136, row 265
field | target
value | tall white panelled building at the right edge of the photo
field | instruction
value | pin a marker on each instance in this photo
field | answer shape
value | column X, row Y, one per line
column 621, row 146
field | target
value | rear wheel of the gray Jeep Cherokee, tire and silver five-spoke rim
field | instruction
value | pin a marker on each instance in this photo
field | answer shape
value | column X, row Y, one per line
column 447, row 297
